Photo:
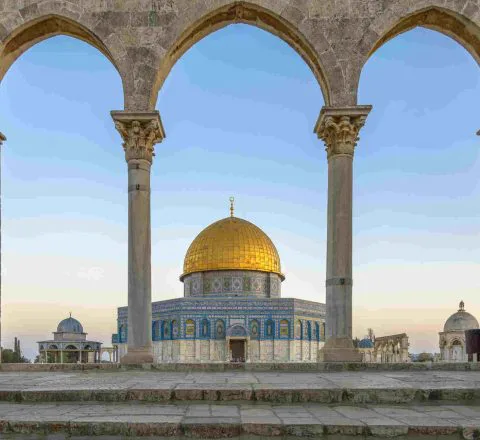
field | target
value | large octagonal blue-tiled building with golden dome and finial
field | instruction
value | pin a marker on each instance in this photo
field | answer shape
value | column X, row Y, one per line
column 232, row 308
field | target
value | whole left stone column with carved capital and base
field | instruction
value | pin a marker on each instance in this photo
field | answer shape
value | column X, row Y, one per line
column 140, row 132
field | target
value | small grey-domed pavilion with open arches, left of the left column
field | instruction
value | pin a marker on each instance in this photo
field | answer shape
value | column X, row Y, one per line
column 69, row 345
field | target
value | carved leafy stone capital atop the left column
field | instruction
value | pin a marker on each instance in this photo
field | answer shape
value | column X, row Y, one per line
column 140, row 132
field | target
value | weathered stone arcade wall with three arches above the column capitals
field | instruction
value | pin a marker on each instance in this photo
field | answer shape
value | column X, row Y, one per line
column 335, row 37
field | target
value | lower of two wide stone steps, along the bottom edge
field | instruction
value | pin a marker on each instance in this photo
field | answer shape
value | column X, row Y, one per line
column 255, row 420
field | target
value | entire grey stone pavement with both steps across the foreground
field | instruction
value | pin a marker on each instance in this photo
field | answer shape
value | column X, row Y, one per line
column 240, row 404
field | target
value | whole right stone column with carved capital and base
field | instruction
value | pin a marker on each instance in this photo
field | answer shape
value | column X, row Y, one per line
column 338, row 127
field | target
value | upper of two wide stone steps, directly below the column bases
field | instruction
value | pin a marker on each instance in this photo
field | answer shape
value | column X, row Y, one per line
column 326, row 388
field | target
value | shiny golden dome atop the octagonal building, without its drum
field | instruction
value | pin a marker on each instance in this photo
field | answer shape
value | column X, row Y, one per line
column 232, row 244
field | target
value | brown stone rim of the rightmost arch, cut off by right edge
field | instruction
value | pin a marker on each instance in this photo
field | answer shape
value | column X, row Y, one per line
column 446, row 21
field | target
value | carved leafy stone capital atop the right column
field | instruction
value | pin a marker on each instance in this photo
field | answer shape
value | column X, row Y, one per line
column 338, row 127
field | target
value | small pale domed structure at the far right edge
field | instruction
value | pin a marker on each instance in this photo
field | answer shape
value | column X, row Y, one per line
column 452, row 339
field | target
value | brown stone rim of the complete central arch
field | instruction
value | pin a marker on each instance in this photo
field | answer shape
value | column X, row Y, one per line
column 246, row 13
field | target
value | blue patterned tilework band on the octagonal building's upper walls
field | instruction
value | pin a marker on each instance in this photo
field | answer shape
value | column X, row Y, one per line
column 252, row 312
